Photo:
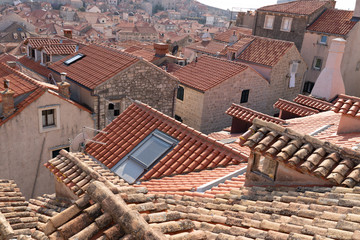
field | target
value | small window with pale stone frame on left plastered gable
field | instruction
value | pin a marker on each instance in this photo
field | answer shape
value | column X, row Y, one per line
column 49, row 118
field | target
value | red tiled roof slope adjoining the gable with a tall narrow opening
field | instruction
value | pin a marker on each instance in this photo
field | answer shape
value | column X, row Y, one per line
column 265, row 51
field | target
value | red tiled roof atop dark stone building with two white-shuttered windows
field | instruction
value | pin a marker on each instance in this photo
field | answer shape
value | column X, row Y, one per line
column 304, row 7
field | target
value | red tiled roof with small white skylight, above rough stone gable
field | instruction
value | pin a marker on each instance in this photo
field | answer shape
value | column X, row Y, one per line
column 99, row 64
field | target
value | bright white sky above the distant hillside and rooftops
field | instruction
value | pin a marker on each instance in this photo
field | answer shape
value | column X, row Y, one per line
column 235, row 5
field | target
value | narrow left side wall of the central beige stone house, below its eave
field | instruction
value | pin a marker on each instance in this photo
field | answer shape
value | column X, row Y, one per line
column 191, row 108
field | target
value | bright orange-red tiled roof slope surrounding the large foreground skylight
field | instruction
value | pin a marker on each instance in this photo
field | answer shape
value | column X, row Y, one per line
column 194, row 152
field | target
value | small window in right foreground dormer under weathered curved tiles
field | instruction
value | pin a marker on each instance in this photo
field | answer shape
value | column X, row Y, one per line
column 264, row 166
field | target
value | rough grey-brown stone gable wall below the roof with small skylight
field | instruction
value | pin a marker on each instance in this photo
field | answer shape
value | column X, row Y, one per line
column 142, row 81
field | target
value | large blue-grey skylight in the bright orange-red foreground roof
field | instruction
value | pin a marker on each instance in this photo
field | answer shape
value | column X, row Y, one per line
column 147, row 153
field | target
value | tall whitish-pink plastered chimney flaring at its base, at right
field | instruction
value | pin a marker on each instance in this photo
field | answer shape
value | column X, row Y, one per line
column 330, row 82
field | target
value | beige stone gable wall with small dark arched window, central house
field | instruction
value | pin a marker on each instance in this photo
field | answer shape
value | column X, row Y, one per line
column 218, row 99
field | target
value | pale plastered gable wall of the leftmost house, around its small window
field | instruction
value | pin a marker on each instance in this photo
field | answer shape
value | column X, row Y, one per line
column 22, row 132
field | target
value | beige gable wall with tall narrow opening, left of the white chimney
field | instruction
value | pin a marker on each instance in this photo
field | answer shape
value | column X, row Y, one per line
column 280, row 77
